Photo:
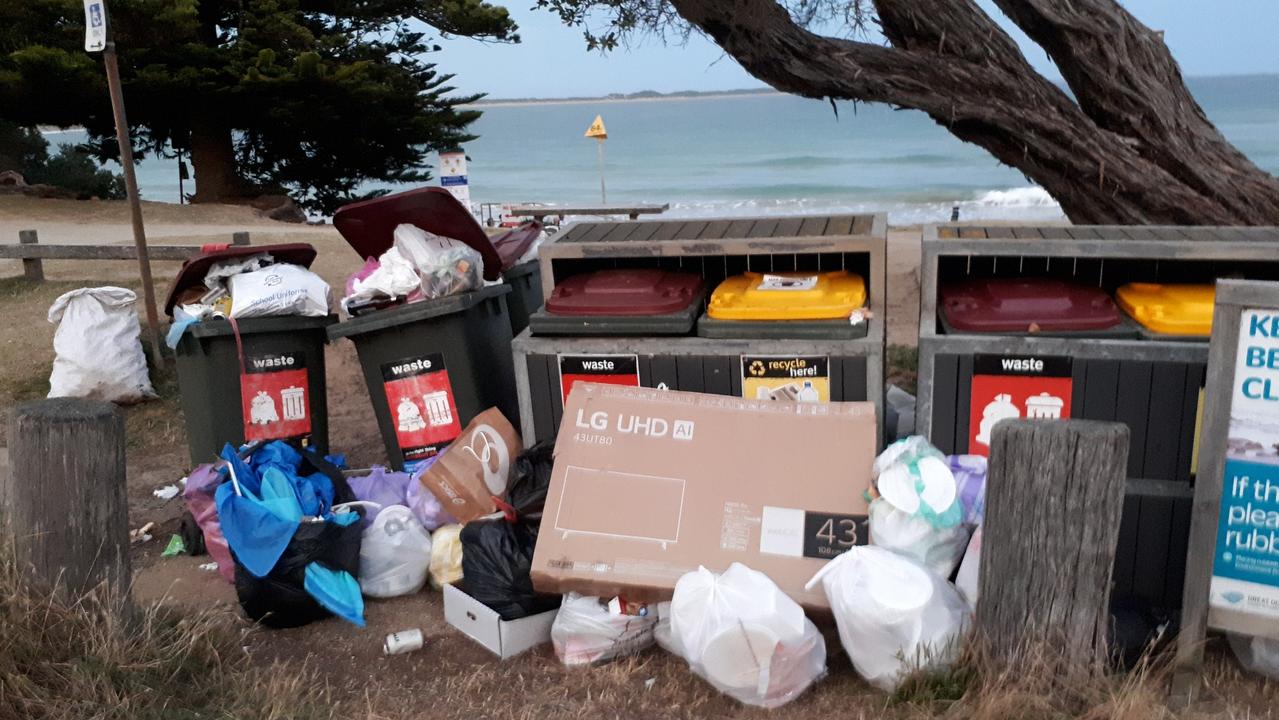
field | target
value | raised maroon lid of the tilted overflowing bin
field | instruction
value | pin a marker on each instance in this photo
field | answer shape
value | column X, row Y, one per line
column 370, row 226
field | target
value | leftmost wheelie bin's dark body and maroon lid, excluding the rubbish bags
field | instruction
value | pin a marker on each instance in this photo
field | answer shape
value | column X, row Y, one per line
column 282, row 357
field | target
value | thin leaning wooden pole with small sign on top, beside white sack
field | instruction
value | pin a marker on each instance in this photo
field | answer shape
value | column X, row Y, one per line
column 97, row 42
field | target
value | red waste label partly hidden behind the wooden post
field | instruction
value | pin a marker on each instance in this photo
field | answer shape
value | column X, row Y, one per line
column 1016, row 387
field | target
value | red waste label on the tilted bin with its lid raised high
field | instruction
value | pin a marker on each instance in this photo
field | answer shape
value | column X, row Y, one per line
column 421, row 402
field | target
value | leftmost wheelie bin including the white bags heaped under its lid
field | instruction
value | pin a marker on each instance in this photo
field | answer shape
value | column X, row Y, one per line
column 250, row 351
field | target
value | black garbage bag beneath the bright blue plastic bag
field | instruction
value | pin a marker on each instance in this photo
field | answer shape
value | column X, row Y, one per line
column 279, row 599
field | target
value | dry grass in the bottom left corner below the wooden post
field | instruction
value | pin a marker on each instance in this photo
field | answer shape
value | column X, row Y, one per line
column 88, row 659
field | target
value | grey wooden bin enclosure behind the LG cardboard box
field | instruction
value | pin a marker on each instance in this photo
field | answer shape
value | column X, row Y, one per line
column 716, row 250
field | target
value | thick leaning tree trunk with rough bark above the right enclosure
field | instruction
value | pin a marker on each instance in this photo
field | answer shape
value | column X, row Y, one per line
column 951, row 61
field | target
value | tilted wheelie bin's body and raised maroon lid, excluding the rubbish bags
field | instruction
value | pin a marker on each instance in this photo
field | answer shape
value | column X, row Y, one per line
column 430, row 366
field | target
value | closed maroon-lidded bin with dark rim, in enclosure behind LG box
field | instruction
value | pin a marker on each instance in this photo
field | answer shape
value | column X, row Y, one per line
column 622, row 302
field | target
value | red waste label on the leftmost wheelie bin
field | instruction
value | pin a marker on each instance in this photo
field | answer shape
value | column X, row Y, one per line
column 274, row 397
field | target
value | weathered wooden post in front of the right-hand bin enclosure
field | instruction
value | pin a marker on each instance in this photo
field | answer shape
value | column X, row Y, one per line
column 1055, row 498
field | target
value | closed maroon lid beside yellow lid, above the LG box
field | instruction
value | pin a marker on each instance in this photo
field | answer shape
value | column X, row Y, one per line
column 625, row 293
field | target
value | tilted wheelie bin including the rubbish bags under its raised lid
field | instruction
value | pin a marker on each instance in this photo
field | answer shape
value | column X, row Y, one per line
column 435, row 350
